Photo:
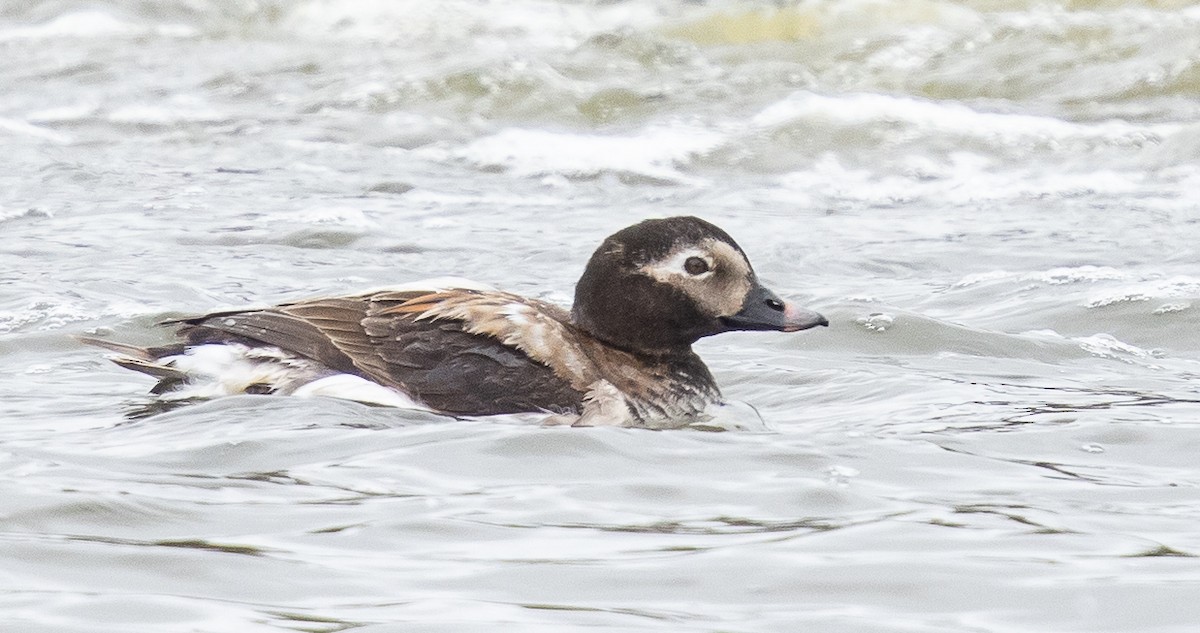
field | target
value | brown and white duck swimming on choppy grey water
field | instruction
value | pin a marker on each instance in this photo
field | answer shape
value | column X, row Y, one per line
column 621, row 355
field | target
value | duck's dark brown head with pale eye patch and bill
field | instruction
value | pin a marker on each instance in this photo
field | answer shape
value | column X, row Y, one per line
column 662, row 285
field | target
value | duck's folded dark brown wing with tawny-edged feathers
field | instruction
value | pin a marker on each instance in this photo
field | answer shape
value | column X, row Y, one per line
column 392, row 339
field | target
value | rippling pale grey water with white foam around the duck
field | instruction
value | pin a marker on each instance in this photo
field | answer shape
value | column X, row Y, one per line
column 994, row 202
